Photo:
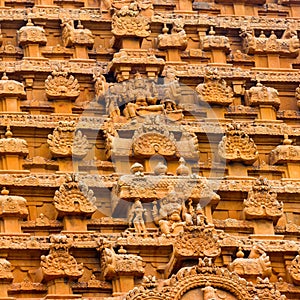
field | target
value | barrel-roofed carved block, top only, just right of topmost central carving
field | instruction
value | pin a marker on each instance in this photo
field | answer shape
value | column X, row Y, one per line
column 177, row 38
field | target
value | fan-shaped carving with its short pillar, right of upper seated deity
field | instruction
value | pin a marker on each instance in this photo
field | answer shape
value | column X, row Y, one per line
column 216, row 93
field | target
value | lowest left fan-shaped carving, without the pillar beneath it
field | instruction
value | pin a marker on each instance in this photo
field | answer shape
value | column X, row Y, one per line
column 59, row 263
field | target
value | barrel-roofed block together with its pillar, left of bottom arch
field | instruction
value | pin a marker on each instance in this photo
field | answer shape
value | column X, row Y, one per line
column 122, row 269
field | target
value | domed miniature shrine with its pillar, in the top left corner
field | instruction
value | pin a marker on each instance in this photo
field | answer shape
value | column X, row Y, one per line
column 31, row 37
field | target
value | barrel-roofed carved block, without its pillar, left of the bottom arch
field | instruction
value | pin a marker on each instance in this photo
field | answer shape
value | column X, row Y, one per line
column 114, row 265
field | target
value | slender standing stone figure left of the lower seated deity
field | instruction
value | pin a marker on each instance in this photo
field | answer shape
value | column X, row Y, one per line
column 136, row 217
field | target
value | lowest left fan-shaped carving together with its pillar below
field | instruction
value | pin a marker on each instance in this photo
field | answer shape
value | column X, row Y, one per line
column 59, row 268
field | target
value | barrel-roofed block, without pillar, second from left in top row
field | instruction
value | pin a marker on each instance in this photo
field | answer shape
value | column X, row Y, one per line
column 78, row 36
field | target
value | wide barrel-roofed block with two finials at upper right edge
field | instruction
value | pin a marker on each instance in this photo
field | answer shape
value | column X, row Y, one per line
column 287, row 45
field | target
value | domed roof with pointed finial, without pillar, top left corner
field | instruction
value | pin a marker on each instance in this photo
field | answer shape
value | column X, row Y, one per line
column 31, row 34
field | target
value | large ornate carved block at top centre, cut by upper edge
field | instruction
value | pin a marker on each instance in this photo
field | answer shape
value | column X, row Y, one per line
column 129, row 22
